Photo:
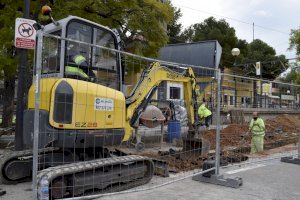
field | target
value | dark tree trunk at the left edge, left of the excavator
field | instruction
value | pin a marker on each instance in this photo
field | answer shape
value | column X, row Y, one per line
column 8, row 102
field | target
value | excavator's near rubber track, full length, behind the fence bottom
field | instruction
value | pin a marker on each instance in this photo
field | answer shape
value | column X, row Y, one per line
column 96, row 176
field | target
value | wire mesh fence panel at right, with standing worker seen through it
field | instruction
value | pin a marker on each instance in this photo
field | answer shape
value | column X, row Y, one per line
column 257, row 127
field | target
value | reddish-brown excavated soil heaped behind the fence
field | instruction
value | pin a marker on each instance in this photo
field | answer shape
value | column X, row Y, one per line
column 235, row 143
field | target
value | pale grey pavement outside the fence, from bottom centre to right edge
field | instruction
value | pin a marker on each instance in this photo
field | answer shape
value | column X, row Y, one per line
column 272, row 180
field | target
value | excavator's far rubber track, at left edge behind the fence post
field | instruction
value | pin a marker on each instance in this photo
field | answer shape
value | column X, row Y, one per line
column 9, row 177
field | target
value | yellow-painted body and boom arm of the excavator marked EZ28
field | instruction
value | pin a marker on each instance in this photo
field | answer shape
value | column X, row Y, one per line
column 85, row 115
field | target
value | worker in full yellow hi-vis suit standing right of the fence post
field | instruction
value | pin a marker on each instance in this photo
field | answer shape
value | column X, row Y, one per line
column 257, row 128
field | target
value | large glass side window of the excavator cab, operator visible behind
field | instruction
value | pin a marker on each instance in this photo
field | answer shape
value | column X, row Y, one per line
column 100, row 65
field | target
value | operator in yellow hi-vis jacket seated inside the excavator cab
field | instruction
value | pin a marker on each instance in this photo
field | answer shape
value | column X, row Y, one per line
column 78, row 68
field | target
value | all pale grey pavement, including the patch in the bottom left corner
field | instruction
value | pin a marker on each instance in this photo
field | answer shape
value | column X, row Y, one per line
column 264, row 177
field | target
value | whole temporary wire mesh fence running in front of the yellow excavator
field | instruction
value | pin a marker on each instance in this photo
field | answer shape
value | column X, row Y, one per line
column 130, row 123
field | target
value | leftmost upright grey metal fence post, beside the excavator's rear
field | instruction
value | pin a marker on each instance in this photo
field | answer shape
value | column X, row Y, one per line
column 36, row 114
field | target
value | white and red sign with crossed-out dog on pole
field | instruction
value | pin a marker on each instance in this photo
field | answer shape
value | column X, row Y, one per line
column 25, row 33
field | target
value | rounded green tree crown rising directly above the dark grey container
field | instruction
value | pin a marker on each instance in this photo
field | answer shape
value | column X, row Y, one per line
column 212, row 29
